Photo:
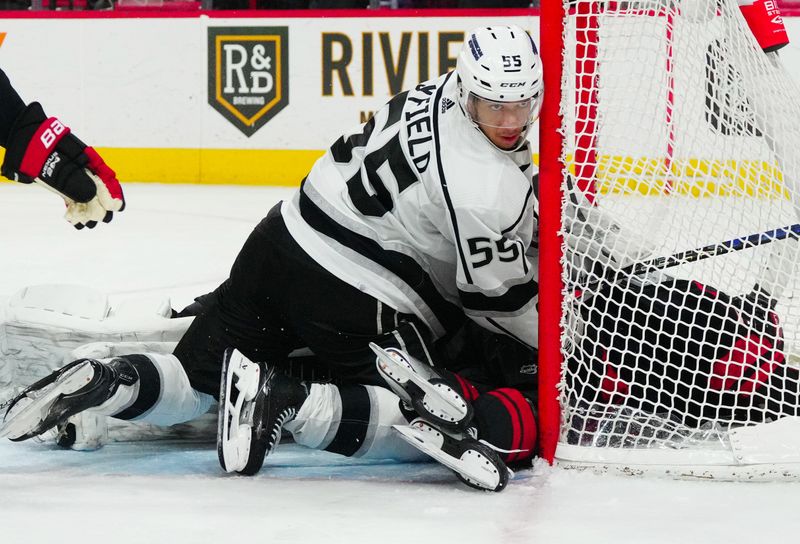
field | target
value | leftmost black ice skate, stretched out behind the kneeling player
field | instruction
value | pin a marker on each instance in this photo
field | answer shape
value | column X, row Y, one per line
column 80, row 385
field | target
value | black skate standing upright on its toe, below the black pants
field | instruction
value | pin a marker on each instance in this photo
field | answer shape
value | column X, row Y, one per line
column 255, row 402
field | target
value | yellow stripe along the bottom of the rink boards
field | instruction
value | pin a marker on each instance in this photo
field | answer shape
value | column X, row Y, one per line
column 618, row 175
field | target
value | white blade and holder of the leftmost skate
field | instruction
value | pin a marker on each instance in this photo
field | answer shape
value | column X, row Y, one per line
column 29, row 417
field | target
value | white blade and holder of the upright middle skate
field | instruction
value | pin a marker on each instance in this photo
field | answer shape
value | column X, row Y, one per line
column 233, row 437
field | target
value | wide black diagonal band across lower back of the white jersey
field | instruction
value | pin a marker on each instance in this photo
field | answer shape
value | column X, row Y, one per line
column 402, row 266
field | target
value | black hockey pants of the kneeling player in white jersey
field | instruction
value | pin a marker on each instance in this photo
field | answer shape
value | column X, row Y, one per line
column 277, row 299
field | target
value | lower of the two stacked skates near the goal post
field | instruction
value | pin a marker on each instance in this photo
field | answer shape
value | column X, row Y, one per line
column 475, row 463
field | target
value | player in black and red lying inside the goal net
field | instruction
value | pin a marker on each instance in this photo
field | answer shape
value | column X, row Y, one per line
column 676, row 350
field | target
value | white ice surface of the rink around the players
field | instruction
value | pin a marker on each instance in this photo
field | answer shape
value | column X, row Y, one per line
column 180, row 241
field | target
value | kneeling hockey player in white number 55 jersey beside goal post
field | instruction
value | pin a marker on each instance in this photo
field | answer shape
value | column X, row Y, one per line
column 408, row 227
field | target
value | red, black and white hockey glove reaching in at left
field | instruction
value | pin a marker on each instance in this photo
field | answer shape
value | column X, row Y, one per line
column 44, row 151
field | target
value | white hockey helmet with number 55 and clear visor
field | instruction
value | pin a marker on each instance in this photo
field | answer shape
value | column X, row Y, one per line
column 500, row 66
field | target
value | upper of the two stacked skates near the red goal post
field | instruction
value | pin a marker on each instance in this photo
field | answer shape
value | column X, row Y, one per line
column 422, row 388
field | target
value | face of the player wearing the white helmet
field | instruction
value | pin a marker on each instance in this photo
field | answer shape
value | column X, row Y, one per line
column 503, row 122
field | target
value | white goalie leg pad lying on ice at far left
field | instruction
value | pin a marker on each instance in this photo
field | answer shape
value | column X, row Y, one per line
column 41, row 325
